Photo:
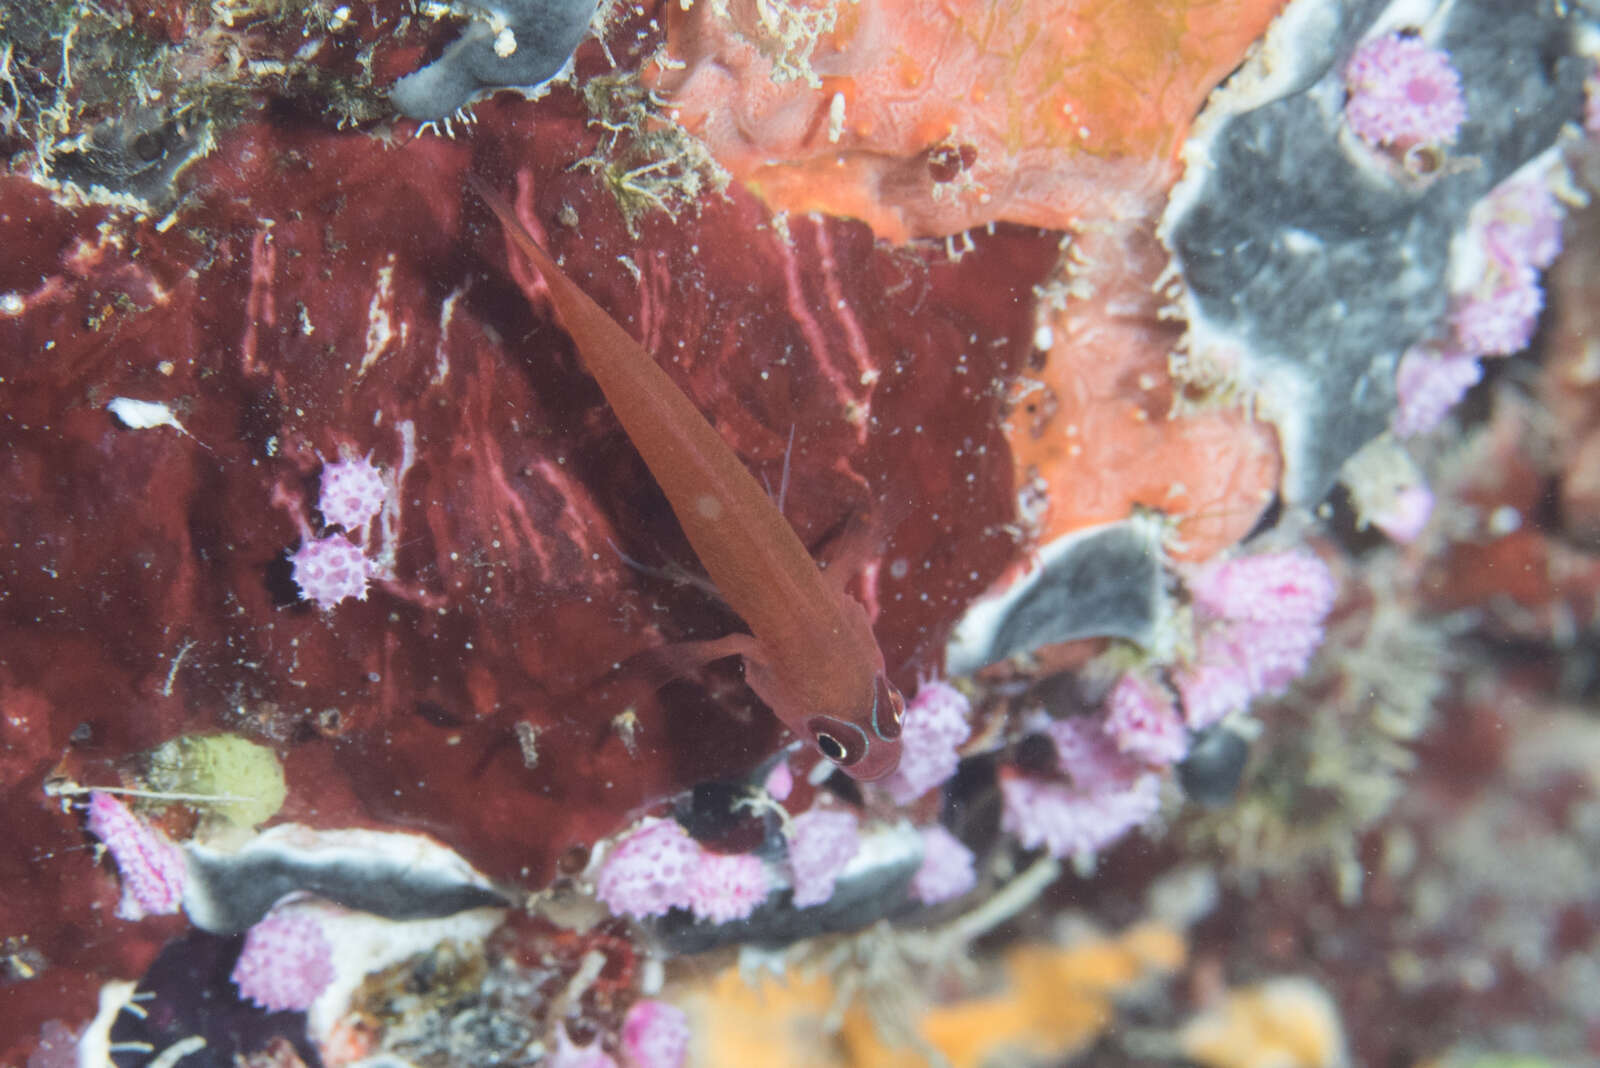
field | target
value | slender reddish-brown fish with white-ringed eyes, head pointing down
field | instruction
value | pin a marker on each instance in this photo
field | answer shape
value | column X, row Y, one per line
column 810, row 655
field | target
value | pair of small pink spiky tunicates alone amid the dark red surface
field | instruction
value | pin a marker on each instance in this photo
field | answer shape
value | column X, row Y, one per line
column 335, row 567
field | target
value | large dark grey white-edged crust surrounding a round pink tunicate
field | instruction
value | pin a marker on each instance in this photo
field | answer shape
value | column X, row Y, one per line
column 1308, row 261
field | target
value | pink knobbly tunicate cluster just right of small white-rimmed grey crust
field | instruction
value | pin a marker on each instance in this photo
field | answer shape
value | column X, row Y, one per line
column 1258, row 624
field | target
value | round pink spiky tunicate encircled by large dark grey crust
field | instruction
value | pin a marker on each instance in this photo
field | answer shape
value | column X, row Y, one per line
column 1402, row 94
